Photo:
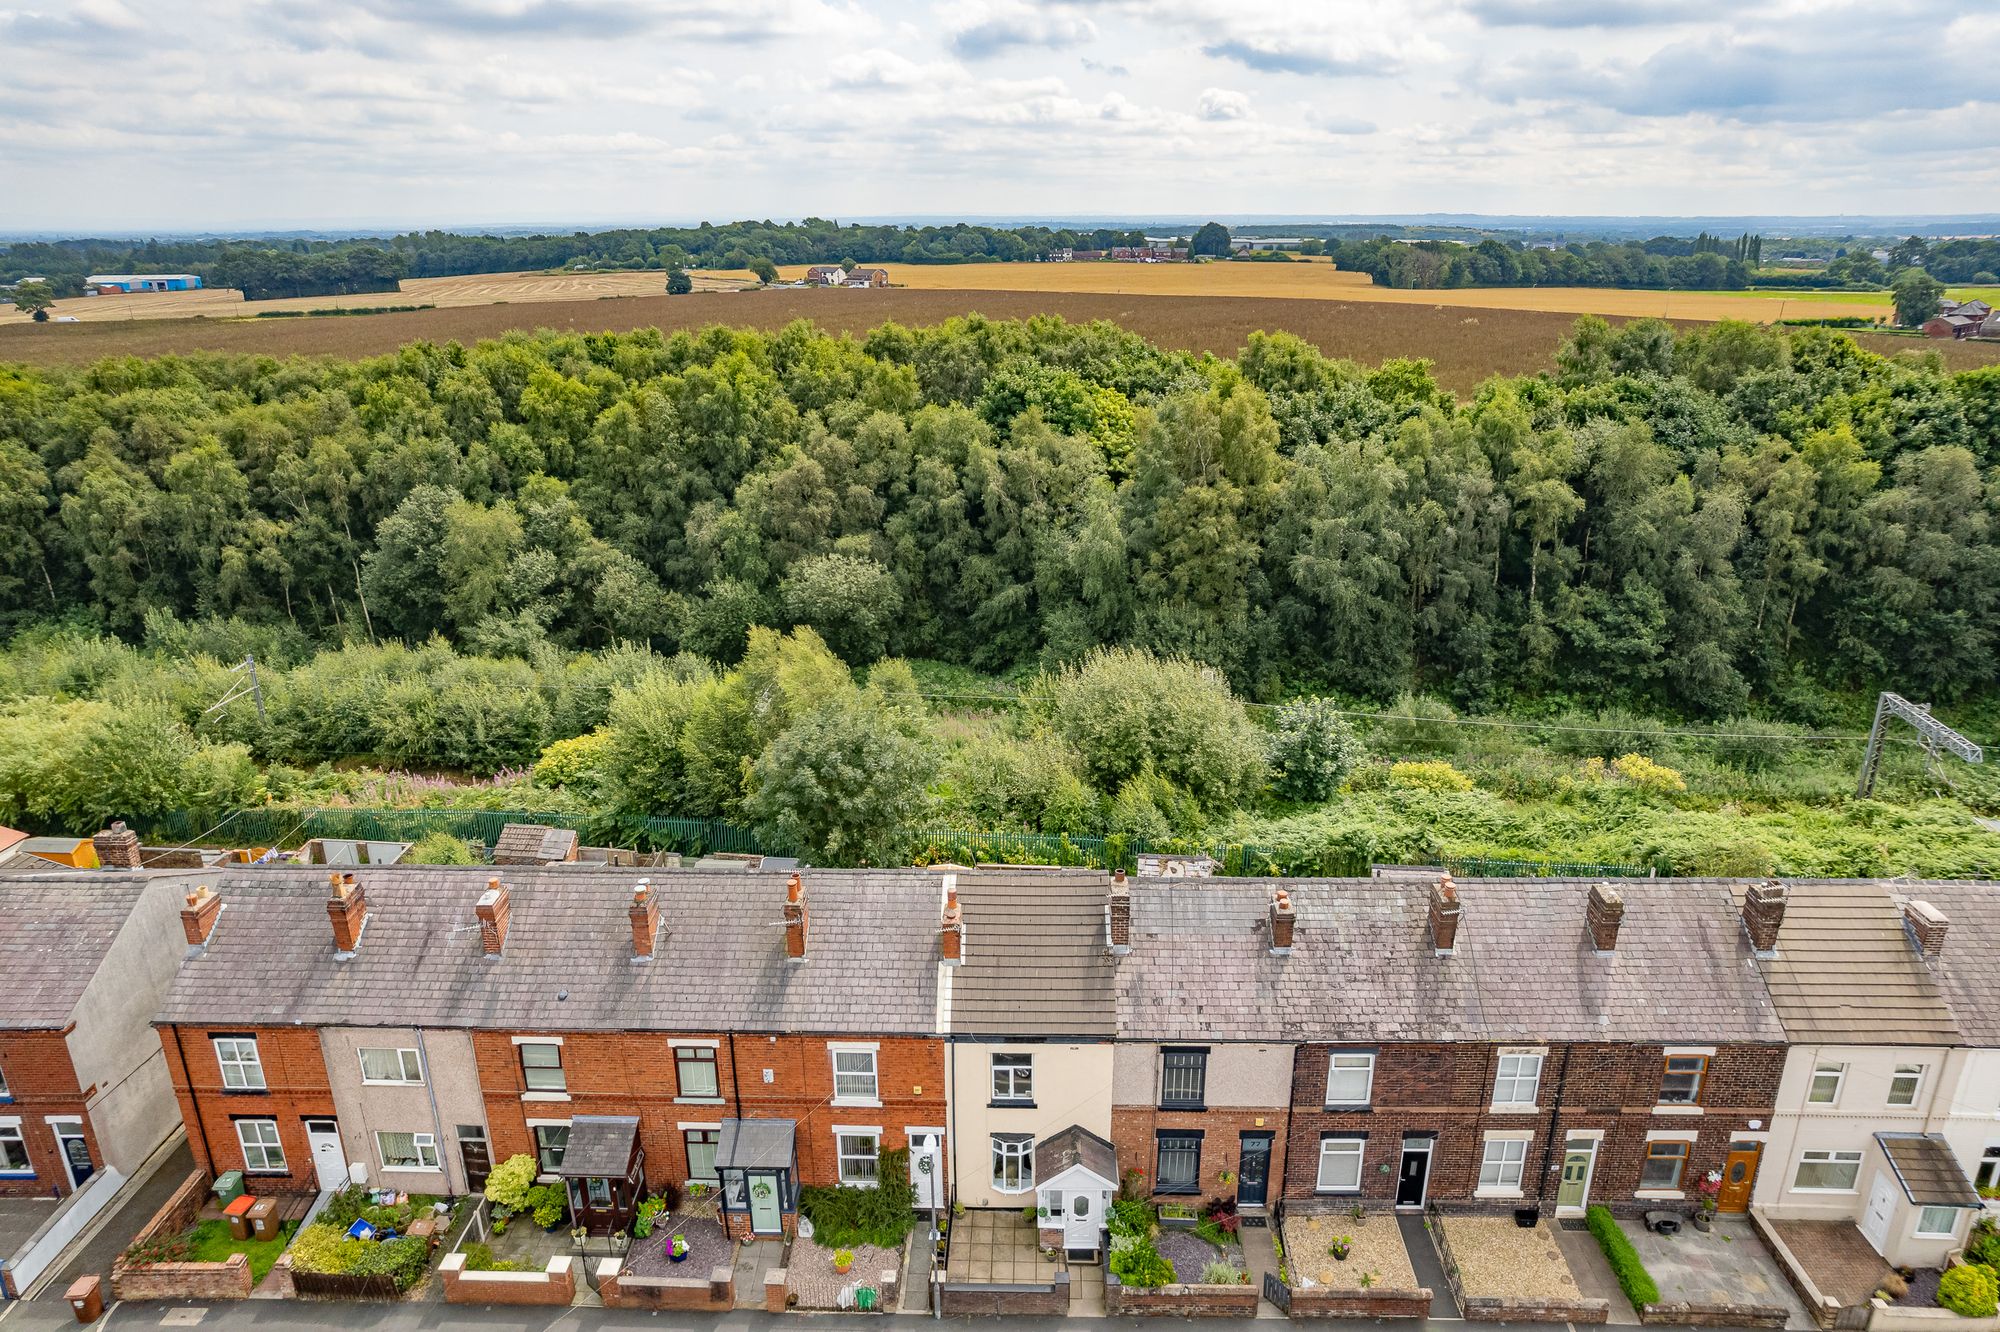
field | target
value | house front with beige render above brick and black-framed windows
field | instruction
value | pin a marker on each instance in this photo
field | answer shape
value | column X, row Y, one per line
column 1249, row 1089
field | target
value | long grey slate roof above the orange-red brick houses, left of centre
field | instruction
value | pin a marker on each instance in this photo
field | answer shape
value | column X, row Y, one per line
column 567, row 965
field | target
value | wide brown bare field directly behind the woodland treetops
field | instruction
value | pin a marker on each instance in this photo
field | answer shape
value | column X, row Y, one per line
column 1465, row 345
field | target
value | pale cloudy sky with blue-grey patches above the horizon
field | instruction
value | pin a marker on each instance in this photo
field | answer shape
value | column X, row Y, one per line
column 433, row 113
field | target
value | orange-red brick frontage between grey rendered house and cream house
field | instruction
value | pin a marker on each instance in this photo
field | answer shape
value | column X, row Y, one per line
column 777, row 1077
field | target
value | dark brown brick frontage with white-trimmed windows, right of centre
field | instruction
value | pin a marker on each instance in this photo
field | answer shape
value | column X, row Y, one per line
column 1611, row 1095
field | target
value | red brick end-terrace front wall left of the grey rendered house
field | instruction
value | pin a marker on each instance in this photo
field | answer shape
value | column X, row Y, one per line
column 295, row 1089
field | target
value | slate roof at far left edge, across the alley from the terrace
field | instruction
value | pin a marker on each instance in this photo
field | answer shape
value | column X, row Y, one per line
column 55, row 933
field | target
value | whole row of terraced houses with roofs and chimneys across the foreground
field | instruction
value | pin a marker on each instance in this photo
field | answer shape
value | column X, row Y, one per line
column 1031, row 1037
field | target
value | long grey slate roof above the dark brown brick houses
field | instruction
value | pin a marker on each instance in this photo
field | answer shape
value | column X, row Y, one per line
column 1363, row 965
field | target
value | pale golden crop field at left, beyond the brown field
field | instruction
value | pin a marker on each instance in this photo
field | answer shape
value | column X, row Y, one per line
column 445, row 293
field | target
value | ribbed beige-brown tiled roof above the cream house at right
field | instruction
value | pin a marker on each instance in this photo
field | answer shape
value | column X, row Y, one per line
column 1847, row 973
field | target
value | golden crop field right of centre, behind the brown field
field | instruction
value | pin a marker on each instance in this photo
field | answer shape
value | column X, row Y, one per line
column 1327, row 283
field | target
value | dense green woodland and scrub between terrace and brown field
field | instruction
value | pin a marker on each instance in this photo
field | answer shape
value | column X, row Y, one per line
column 1125, row 573
